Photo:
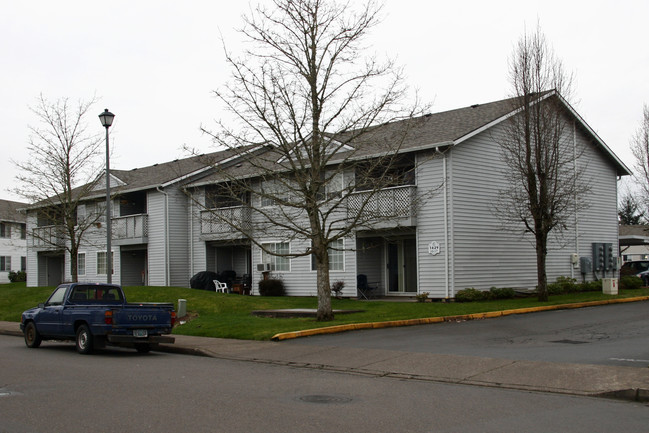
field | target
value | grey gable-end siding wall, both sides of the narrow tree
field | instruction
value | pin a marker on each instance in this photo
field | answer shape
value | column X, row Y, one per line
column 485, row 255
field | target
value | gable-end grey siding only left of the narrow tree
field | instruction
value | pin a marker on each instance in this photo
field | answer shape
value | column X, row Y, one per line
column 485, row 255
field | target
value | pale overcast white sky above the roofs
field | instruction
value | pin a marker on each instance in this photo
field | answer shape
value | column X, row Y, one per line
column 155, row 63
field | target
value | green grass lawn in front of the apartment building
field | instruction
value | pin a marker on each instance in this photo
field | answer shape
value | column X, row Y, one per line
column 228, row 316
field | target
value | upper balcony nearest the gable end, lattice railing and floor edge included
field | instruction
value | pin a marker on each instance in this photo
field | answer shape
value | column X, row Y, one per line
column 389, row 207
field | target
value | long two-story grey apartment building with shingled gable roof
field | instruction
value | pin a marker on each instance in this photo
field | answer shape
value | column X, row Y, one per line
column 450, row 242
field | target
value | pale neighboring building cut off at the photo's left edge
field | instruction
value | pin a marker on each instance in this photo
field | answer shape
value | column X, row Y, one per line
column 13, row 239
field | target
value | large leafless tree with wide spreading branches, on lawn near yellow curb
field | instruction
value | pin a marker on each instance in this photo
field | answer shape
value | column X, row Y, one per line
column 304, row 91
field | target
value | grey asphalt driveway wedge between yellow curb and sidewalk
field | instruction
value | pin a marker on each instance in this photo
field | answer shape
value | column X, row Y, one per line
column 605, row 335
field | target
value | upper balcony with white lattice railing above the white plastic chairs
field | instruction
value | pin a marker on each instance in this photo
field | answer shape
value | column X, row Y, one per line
column 215, row 227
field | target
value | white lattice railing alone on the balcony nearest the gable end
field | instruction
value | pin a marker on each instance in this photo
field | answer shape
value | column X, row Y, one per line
column 394, row 202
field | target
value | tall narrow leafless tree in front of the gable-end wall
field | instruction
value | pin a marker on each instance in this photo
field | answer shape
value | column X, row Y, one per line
column 545, row 185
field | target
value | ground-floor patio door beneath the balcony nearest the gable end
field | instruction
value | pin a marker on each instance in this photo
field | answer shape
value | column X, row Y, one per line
column 402, row 266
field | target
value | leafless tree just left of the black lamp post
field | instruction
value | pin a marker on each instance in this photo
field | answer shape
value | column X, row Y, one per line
column 60, row 173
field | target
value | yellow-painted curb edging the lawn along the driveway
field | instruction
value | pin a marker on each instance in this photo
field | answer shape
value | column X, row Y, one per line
column 429, row 320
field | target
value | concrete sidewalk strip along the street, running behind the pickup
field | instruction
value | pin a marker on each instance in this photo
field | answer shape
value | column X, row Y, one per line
column 628, row 383
